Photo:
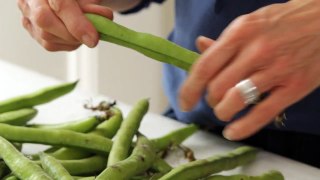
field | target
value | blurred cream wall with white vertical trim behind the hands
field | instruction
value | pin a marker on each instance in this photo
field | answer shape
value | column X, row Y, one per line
column 108, row 69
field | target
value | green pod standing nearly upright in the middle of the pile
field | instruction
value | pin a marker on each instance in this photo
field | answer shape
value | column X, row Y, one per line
column 128, row 129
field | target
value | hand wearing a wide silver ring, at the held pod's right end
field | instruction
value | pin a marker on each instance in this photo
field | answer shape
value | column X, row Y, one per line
column 276, row 47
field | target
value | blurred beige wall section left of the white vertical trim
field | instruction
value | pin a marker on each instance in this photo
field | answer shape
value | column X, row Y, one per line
column 17, row 46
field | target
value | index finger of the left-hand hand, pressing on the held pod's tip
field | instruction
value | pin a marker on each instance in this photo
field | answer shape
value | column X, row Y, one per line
column 77, row 24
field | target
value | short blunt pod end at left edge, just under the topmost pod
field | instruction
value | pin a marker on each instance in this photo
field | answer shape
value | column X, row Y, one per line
column 18, row 117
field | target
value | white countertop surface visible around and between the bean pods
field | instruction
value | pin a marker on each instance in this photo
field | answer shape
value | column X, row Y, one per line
column 16, row 80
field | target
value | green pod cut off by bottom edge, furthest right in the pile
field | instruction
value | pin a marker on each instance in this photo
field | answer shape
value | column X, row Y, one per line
column 271, row 175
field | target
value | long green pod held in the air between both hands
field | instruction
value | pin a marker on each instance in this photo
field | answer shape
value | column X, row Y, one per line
column 152, row 46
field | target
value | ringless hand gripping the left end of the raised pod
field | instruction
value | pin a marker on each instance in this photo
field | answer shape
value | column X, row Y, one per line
column 60, row 25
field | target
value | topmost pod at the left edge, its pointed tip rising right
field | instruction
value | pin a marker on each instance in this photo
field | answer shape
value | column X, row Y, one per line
column 41, row 96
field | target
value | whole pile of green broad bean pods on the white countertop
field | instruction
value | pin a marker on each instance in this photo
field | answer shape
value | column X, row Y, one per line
column 101, row 147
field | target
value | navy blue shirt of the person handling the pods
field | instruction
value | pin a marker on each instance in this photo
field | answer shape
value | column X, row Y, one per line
column 209, row 18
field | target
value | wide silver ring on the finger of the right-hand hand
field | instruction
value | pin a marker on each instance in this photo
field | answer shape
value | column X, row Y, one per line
column 248, row 91
